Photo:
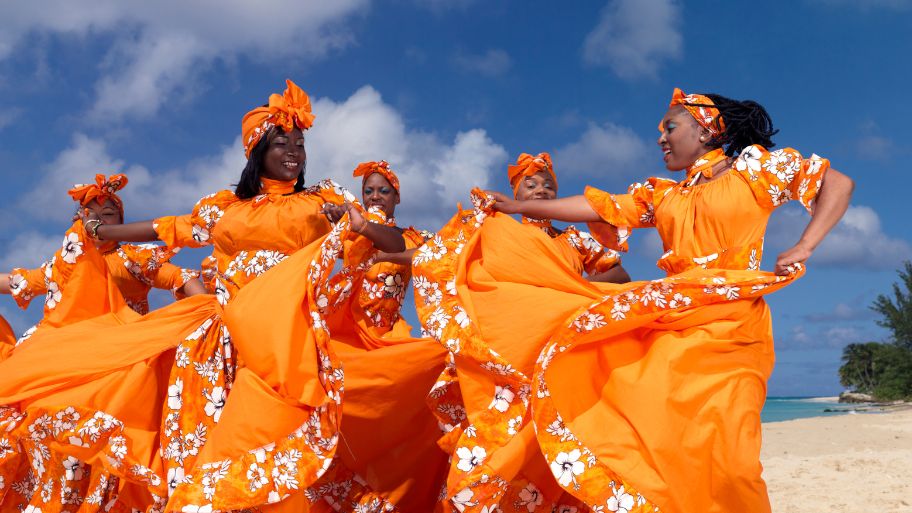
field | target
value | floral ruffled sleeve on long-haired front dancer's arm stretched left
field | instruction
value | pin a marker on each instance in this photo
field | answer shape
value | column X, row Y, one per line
column 194, row 230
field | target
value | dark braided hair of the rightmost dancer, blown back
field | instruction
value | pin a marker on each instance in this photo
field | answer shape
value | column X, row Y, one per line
column 746, row 123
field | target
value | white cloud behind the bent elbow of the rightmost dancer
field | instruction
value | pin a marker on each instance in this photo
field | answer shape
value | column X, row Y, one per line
column 857, row 241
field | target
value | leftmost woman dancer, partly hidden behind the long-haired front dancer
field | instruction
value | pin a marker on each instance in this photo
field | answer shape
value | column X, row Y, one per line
column 133, row 269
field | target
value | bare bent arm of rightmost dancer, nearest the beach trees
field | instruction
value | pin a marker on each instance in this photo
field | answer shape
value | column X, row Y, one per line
column 832, row 203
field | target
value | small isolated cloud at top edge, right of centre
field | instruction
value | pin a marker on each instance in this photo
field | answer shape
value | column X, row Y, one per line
column 634, row 37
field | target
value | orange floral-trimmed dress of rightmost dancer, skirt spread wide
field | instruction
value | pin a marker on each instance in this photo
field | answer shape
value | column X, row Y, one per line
column 633, row 397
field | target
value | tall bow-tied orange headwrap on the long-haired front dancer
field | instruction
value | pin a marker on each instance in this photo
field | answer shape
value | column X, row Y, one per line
column 291, row 109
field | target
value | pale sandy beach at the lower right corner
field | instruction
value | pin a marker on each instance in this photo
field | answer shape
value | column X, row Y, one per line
column 860, row 462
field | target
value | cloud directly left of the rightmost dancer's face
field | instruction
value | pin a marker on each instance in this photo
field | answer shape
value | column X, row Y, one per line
column 606, row 149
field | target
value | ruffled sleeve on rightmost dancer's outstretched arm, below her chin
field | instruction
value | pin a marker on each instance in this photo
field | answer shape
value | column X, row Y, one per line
column 622, row 212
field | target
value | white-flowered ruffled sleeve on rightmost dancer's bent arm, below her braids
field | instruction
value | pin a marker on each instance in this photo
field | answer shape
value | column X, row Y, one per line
column 780, row 176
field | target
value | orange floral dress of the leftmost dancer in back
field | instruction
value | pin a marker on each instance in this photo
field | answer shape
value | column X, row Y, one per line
column 135, row 269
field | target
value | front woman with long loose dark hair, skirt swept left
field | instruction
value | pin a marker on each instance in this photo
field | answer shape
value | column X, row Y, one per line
column 162, row 381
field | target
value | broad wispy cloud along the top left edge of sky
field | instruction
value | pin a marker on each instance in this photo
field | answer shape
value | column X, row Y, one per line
column 159, row 47
